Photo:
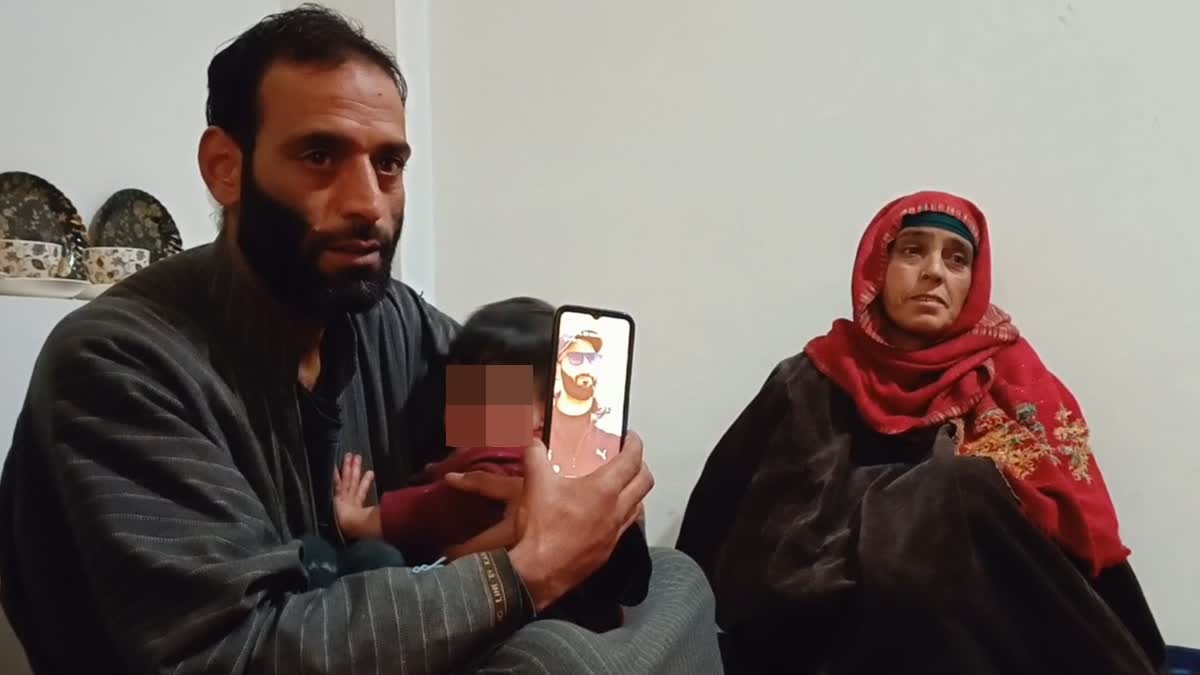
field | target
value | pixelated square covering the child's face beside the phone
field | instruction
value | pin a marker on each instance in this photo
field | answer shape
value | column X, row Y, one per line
column 493, row 407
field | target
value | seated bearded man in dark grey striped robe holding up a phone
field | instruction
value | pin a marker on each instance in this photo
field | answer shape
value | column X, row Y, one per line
column 179, row 435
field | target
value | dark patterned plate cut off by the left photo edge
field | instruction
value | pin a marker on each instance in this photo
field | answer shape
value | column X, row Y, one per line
column 32, row 208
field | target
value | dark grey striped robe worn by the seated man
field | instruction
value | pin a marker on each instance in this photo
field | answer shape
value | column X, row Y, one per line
column 158, row 483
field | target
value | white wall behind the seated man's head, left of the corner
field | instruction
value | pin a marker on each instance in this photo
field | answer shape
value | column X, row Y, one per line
column 112, row 97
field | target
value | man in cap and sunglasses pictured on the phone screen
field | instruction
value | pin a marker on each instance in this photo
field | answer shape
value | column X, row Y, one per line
column 578, row 446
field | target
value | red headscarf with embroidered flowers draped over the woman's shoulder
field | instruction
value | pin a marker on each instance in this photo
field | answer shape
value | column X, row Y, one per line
column 986, row 379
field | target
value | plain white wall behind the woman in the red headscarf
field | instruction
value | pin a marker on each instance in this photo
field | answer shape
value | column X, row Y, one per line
column 710, row 168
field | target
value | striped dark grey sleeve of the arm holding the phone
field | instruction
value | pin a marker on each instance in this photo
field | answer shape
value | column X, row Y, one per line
column 185, row 564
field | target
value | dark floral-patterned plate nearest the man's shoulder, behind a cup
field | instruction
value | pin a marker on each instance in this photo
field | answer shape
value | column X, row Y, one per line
column 134, row 218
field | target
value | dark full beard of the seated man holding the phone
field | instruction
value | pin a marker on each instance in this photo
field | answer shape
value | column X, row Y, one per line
column 280, row 247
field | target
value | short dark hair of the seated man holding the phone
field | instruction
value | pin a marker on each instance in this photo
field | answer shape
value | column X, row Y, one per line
column 309, row 34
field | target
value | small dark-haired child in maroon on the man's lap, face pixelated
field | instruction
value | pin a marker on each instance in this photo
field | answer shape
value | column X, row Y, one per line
column 499, row 378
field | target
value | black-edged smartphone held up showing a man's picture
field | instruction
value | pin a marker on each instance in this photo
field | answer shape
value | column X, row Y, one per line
column 589, row 411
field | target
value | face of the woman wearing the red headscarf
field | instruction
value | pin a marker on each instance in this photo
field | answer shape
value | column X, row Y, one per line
column 928, row 280
